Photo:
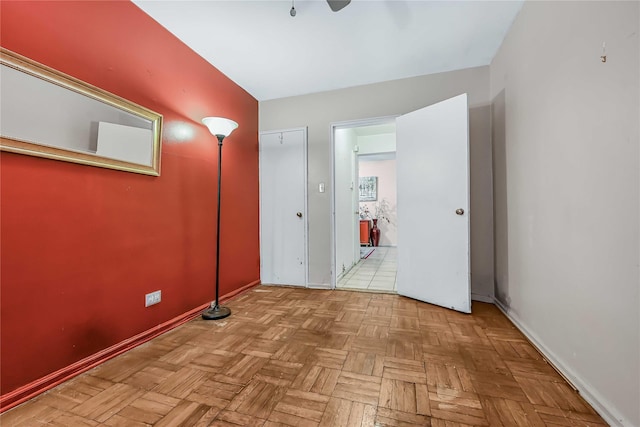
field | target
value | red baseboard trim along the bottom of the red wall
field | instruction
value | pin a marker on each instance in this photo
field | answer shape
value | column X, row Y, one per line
column 28, row 391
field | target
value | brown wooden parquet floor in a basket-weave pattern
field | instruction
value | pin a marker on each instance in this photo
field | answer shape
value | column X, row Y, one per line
column 300, row 357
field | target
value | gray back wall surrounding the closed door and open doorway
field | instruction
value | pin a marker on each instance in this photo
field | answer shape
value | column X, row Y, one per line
column 319, row 111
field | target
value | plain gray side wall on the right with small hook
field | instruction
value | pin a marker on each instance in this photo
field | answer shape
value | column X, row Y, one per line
column 566, row 152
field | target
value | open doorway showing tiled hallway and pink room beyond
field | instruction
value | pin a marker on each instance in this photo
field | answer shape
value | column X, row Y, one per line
column 364, row 155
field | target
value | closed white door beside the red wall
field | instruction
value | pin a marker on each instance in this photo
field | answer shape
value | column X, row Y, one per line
column 283, row 214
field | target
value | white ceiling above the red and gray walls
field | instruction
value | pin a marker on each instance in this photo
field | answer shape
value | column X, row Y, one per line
column 270, row 54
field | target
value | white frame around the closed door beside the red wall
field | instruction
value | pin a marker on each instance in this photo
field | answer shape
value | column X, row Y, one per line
column 306, row 192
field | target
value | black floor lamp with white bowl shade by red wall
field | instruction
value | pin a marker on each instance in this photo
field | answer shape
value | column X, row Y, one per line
column 221, row 128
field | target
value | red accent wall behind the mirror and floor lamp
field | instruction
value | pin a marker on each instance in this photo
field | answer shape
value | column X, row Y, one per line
column 81, row 245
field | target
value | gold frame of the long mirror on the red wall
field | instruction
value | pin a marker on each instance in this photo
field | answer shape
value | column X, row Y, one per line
column 152, row 120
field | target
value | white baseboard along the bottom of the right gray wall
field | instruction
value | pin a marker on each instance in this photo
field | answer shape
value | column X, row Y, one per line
column 601, row 405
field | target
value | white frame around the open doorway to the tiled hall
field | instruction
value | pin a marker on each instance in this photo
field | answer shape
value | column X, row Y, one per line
column 334, row 126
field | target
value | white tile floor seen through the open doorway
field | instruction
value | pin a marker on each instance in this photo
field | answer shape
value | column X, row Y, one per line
column 376, row 273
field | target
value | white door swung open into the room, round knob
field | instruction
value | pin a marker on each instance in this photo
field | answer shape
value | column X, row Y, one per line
column 433, row 204
